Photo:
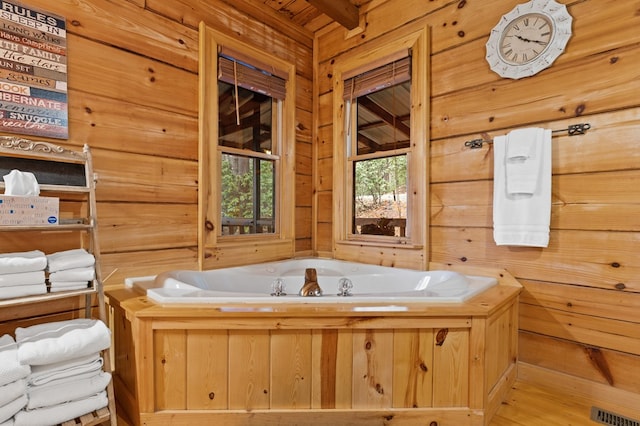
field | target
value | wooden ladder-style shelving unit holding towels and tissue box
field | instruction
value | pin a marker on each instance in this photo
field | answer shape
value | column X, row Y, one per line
column 69, row 175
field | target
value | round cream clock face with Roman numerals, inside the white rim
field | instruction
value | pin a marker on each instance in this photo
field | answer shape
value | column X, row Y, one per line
column 525, row 38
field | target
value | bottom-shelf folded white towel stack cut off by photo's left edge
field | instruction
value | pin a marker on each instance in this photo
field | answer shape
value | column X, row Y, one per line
column 13, row 380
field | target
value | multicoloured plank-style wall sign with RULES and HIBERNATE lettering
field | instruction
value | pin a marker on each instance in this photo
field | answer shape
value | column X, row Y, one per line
column 33, row 72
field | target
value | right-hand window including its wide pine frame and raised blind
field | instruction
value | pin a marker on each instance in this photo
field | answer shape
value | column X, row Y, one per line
column 381, row 151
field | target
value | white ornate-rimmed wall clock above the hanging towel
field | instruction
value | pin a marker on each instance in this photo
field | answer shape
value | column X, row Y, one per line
column 529, row 38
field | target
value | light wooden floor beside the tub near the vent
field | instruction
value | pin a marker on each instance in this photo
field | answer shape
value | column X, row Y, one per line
column 533, row 405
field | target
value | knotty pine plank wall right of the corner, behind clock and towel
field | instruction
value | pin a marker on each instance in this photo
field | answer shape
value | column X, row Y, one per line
column 578, row 313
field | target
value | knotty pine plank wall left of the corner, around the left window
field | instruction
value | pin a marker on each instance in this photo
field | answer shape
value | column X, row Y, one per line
column 133, row 97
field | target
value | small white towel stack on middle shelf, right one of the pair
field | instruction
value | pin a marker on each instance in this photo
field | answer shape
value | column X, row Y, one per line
column 70, row 270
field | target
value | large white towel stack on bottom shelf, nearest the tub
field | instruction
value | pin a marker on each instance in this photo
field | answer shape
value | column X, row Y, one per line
column 66, row 377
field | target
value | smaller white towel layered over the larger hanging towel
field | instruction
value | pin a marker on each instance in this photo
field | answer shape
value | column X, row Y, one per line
column 524, row 160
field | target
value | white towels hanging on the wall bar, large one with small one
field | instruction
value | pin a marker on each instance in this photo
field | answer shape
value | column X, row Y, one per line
column 522, row 188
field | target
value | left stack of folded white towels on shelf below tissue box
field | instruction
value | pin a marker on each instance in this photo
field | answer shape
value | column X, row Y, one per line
column 22, row 274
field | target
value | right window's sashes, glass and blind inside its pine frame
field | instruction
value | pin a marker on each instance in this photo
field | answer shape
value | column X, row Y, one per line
column 378, row 124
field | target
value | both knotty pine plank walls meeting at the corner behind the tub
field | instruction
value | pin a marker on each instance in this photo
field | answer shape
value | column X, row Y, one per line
column 133, row 99
